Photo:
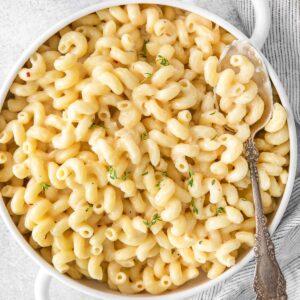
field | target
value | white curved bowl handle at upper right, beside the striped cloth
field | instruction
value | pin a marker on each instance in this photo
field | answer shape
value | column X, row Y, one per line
column 262, row 21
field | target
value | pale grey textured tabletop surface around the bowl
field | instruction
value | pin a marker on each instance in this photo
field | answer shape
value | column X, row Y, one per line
column 21, row 21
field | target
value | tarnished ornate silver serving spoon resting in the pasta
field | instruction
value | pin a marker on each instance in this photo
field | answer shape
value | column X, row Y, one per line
column 269, row 282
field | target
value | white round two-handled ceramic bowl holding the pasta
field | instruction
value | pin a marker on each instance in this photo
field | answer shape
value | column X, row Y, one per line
column 262, row 16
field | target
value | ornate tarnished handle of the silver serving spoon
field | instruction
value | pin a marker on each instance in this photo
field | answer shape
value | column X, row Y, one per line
column 269, row 283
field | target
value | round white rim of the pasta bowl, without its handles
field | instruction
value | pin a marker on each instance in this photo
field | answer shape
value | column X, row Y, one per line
column 178, row 293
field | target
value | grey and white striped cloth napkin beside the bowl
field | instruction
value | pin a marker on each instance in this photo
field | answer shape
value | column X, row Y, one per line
column 282, row 49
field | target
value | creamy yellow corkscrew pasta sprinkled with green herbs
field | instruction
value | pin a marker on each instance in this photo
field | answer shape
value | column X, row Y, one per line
column 122, row 149
